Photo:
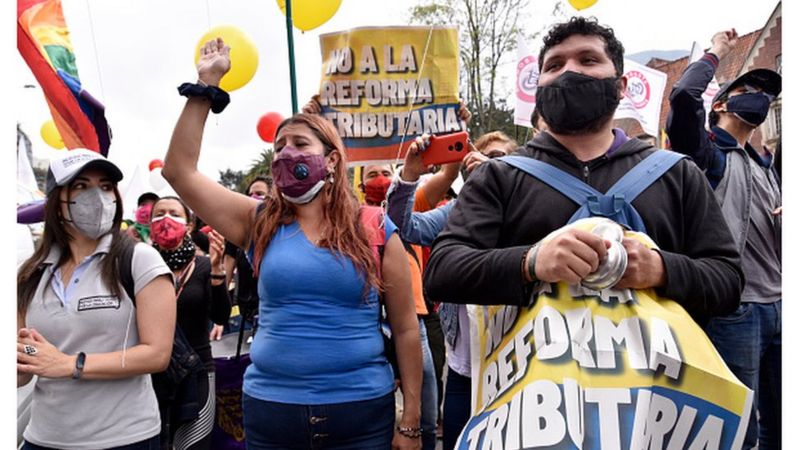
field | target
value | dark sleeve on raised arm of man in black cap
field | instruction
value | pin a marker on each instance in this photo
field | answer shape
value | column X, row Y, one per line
column 687, row 116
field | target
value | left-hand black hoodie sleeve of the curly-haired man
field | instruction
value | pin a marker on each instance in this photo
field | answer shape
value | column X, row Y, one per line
column 468, row 263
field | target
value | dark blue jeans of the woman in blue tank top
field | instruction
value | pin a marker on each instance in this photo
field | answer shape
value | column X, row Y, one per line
column 362, row 425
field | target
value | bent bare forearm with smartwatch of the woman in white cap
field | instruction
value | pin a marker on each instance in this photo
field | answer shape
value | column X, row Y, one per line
column 155, row 316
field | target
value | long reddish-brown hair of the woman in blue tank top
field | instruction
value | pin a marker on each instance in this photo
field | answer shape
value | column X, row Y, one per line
column 341, row 228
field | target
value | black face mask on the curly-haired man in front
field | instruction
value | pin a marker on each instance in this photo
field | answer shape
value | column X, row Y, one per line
column 576, row 104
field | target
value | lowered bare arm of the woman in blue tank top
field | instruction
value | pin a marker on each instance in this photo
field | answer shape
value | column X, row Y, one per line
column 405, row 328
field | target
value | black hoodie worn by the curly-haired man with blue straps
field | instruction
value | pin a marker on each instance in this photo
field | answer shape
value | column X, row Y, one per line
column 502, row 211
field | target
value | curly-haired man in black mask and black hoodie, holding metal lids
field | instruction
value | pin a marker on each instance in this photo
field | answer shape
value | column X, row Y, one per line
column 490, row 251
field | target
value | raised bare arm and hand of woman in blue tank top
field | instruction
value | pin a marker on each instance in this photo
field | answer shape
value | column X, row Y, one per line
column 226, row 211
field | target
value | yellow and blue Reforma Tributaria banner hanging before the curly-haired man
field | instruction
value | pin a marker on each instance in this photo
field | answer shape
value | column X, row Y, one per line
column 614, row 369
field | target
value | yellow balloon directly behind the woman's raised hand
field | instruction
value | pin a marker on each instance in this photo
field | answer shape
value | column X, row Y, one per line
column 244, row 55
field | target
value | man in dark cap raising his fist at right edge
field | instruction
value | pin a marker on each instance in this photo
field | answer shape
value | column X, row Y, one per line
column 748, row 189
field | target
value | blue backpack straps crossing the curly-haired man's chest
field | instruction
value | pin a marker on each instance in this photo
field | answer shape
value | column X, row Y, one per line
column 614, row 204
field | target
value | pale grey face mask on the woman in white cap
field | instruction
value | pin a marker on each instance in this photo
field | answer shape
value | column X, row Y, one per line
column 92, row 212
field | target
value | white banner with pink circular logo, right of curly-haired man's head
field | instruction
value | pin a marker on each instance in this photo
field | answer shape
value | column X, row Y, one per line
column 643, row 96
